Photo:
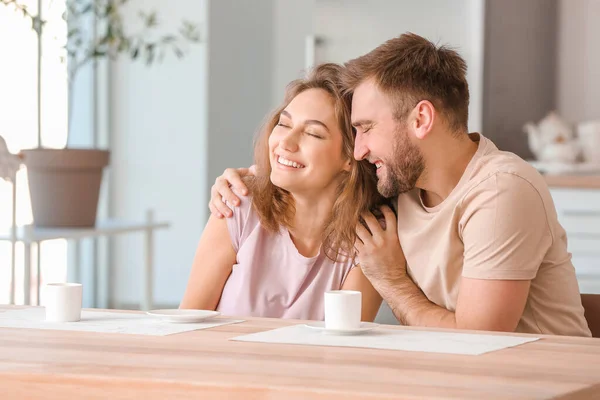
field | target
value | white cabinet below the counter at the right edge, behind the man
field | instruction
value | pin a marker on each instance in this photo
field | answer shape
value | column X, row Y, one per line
column 579, row 213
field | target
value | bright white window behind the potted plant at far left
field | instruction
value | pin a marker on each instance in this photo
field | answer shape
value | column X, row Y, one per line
column 19, row 93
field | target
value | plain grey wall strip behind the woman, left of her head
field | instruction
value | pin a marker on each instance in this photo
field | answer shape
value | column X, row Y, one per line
column 240, row 77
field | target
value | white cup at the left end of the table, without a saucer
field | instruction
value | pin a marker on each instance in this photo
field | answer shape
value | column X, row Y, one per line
column 63, row 302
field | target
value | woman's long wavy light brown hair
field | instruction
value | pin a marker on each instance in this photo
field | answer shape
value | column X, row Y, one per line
column 356, row 193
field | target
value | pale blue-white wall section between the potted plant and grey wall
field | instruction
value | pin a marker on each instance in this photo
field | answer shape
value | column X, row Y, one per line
column 159, row 158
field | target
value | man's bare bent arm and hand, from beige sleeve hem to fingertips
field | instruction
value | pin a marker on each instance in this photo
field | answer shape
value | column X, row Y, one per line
column 482, row 304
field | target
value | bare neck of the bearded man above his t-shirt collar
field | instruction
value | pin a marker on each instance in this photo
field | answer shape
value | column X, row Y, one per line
column 446, row 160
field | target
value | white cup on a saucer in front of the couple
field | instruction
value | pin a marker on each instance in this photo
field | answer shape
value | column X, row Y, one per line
column 342, row 309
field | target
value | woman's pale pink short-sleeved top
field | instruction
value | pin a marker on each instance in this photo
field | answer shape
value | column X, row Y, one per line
column 270, row 277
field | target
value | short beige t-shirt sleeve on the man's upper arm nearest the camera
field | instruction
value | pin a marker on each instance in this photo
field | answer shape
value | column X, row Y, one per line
column 504, row 229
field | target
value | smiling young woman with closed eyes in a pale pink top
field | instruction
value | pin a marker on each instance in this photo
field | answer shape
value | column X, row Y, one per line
column 293, row 238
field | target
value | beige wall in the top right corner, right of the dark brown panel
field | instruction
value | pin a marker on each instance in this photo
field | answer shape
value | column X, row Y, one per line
column 578, row 92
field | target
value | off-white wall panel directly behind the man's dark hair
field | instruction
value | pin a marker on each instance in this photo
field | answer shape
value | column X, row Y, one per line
column 350, row 28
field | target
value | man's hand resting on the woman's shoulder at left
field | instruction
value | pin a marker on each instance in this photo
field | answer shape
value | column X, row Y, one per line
column 221, row 190
